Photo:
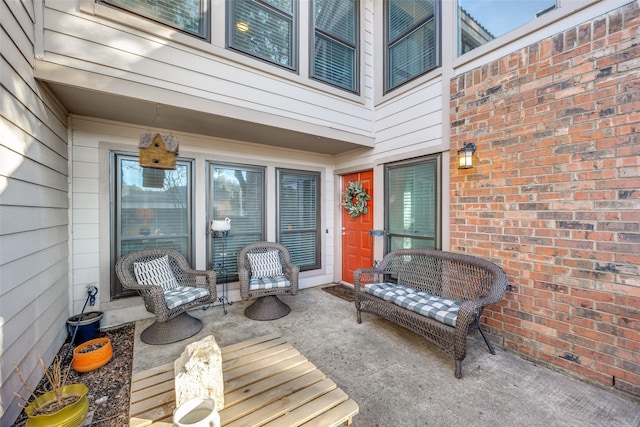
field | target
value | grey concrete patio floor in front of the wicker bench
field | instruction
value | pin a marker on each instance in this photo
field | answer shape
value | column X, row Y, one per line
column 399, row 379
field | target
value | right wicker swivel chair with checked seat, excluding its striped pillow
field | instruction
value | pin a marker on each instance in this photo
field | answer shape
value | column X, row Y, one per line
column 266, row 289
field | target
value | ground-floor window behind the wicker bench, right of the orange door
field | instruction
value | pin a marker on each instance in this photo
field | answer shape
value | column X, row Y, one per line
column 412, row 208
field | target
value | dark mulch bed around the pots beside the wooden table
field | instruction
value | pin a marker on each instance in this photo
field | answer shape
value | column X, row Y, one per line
column 110, row 385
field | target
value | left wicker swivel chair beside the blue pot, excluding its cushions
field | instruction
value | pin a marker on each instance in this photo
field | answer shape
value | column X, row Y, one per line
column 172, row 324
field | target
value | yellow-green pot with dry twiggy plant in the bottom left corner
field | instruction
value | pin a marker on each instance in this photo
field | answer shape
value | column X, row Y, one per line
column 61, row 404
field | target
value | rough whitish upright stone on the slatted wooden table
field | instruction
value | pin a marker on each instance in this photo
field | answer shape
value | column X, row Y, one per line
column 198, row 372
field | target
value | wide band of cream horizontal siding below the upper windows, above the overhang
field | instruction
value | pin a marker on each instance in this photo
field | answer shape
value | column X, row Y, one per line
column 85, row 42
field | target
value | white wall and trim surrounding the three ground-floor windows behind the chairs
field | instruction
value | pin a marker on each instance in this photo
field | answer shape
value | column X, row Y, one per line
column 93, row 141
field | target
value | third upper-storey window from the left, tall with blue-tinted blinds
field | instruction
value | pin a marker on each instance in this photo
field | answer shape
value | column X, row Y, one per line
column 335, row 42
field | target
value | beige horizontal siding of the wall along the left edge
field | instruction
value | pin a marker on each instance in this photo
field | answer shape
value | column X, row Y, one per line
column 34, row 279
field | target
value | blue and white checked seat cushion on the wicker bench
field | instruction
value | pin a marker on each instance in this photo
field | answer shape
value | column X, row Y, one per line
column 443, row 310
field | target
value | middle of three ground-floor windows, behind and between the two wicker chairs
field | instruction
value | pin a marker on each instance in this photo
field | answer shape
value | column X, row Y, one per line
column 235, row 192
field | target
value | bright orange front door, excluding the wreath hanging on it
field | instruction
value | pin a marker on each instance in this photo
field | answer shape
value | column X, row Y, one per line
column 357, row 244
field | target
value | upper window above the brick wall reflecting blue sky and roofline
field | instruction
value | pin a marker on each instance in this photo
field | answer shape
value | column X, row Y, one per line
column 480, row 21
